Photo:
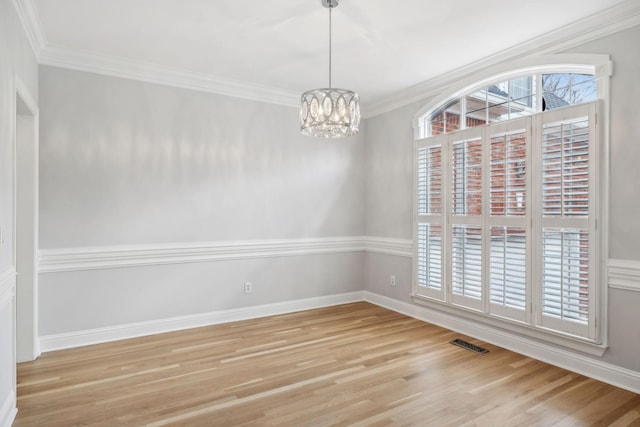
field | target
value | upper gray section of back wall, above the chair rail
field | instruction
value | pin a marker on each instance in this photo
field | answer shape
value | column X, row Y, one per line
column 125, row 162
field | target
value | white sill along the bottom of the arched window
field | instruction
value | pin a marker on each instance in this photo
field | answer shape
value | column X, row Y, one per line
column 508, row 327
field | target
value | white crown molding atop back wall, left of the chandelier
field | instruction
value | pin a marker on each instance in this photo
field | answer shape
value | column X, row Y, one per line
column 91, row 62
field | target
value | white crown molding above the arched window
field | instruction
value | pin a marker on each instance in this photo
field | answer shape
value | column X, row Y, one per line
column 615, row 19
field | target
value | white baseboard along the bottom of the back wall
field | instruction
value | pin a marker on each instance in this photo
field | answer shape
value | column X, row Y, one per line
column 114, row 333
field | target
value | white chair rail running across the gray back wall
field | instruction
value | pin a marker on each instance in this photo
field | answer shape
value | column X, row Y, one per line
column 92, row 258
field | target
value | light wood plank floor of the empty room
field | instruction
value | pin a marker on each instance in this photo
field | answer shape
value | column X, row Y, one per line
column 355, row 364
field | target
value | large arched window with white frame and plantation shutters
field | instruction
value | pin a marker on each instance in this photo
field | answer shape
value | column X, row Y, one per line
column 510, row 198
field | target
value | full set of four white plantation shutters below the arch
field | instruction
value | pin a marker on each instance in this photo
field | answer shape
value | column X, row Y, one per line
column 505, row 220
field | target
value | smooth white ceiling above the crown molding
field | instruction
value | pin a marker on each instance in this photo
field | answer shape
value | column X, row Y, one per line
column 380, row 47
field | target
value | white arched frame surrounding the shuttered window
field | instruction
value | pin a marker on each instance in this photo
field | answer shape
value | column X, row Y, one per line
column 600, row 66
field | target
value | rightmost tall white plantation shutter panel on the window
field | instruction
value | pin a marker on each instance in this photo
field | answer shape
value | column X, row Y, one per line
column 567, row 300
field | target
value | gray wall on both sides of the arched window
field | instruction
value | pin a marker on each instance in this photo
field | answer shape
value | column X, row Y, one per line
column 389, row 191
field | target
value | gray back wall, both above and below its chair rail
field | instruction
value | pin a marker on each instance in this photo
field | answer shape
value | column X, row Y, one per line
column 126, row 163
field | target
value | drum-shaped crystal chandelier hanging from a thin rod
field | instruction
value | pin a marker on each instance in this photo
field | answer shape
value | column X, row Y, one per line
column 329, row 112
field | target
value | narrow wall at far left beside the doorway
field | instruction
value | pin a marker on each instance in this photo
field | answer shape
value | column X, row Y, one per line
column 16, row 59
